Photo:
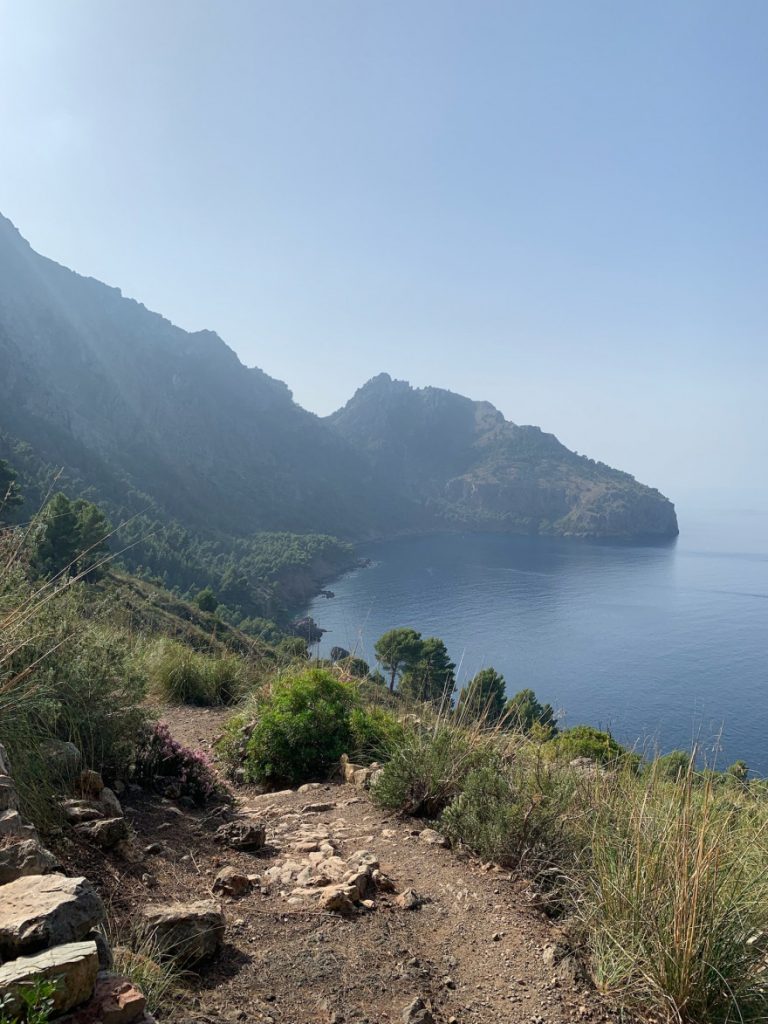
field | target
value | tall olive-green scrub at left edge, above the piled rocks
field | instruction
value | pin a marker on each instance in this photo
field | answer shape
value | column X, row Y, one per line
column 66, row 673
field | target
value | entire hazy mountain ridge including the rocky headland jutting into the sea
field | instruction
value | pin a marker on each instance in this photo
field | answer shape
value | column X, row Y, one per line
column 140, row 413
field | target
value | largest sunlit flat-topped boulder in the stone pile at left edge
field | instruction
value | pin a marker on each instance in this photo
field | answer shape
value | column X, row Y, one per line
column 40, row 911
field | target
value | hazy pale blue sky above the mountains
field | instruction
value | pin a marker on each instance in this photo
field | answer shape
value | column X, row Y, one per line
column 559, row 206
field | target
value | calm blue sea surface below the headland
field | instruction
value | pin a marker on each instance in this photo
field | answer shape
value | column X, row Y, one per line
column 663, row 645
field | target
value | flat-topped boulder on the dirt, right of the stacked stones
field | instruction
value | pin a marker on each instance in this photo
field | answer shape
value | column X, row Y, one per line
column 190, row 933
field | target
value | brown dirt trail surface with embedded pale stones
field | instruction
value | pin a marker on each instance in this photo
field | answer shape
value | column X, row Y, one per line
column 429, row 936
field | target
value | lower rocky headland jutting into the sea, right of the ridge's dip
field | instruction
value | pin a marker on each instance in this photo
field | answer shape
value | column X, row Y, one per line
column 468, row 465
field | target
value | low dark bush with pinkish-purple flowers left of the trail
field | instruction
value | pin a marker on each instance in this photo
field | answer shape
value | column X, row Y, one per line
column 163, row 764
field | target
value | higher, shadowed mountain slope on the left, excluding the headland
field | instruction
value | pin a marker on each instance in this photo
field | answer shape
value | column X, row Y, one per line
column 125, row 400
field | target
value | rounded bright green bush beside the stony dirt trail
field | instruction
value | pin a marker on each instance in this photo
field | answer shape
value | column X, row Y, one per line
column 304, row 729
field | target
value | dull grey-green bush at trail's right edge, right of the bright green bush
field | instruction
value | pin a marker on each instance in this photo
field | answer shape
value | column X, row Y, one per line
column 428, row 769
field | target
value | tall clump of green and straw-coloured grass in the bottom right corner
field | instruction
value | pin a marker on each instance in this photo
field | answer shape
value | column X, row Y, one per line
column 673, row 892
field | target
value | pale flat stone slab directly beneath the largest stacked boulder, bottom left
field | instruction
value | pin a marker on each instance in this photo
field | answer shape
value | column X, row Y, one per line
column 74, row 967
